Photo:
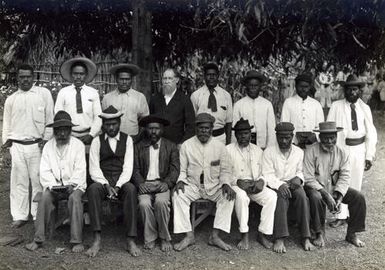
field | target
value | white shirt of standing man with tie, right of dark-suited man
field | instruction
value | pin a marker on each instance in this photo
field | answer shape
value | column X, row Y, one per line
column 224, row 113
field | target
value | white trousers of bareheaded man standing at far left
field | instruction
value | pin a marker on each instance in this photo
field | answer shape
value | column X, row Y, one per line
column 25, row 166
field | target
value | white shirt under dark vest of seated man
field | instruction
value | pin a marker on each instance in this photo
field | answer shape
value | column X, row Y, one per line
column 95, row 171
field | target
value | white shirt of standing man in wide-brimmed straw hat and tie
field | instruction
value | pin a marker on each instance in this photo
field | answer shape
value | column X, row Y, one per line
column 66, row 100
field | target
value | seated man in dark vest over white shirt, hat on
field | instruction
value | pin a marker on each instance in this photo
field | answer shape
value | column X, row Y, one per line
column 111, row 165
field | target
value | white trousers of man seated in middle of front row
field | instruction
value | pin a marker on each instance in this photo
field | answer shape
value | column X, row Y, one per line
column 181, row 203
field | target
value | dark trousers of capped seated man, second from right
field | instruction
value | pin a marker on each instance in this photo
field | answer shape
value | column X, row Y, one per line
column 300, row 203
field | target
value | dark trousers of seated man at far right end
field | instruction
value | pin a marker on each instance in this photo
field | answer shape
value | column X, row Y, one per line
column 356, row 204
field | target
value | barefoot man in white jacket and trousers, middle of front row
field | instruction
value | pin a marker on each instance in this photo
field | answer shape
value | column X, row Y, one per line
column 205, row 172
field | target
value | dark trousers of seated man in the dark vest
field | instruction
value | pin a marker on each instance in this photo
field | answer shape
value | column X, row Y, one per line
column 96, row 193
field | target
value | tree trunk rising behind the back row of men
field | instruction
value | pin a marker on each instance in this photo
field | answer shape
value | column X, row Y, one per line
column 142, row 46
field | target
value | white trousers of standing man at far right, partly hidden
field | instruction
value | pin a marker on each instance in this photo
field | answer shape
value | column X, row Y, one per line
column 357, row 167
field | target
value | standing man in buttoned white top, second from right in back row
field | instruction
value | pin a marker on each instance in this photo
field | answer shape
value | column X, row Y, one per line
column 303, row 111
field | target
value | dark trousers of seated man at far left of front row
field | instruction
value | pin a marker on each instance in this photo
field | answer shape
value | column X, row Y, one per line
column 45, row 212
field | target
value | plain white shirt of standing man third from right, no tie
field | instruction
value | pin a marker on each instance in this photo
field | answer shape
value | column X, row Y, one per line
column 260, row 114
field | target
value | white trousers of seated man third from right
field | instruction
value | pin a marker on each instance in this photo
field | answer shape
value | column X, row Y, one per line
column 267, row 198
